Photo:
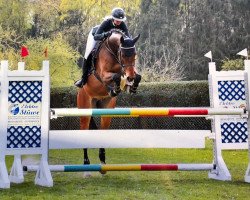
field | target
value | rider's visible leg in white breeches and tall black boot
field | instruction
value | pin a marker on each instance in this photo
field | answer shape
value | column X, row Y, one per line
column 89, row 47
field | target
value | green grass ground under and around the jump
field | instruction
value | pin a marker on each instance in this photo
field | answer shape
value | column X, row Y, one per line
column 138, row 185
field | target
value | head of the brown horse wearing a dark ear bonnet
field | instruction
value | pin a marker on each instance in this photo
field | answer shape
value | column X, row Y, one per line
column 128, row 56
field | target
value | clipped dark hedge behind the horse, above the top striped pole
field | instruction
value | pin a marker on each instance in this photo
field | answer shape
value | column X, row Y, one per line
column 173, row 94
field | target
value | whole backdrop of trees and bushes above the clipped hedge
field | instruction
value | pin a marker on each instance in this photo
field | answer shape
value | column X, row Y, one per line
column 175, row 34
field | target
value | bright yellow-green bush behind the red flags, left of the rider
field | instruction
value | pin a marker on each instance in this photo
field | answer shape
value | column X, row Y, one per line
column 63, row 59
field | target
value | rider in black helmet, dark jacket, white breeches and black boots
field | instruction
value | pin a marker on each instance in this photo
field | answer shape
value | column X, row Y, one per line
column 115, row 21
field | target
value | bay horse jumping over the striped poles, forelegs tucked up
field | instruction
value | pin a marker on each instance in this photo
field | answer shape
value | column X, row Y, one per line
column 115, row 60
